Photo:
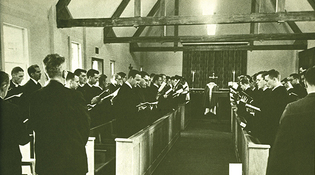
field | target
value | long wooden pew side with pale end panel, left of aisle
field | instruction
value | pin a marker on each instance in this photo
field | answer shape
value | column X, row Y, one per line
column 142, row 152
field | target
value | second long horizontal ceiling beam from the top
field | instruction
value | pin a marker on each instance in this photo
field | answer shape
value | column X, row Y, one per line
column 216, row 38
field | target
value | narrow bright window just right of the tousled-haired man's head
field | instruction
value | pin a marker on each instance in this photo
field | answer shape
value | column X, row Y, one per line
column 76, row 56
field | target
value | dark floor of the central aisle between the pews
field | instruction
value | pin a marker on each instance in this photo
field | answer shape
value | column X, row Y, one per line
column 205, row 148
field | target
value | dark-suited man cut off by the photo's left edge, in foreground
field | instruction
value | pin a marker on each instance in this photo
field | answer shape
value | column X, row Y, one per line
column 12, row 131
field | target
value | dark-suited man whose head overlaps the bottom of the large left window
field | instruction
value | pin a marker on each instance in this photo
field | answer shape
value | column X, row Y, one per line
column 15, row 87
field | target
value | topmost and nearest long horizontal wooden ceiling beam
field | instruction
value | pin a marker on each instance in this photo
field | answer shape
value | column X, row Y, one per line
column 190, row 20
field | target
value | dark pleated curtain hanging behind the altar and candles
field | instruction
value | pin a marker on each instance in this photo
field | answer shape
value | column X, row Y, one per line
column 199, row 65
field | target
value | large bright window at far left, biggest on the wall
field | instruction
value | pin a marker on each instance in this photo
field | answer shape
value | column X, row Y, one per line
column 15, row 43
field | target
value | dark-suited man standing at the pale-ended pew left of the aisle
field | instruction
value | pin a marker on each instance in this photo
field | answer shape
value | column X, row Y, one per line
column 125, row 106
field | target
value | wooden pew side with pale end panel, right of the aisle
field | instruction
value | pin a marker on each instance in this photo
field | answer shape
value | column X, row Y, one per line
column 248, row 150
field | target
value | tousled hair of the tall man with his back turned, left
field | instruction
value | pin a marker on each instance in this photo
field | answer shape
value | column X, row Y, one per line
column 52, row 64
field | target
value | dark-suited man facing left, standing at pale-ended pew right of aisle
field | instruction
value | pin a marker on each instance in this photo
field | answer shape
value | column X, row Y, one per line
column 270, row 116
